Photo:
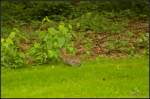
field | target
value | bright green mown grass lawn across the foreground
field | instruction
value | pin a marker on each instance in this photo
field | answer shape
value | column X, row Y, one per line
column 104, row 77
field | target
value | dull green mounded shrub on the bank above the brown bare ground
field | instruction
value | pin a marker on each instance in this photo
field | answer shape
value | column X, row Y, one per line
column 98, row 23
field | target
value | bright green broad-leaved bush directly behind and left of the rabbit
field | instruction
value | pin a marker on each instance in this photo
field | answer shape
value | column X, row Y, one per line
column 51, row 42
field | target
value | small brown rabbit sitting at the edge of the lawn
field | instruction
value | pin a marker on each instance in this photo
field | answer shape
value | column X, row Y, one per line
column 70, row 60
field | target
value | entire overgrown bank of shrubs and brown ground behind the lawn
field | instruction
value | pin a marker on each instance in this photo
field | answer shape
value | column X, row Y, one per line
column 41, row 29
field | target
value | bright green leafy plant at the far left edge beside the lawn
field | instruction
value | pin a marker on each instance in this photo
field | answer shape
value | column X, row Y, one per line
column 11, row 57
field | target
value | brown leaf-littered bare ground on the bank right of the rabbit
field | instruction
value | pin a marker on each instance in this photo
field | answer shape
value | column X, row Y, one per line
column 137, row 27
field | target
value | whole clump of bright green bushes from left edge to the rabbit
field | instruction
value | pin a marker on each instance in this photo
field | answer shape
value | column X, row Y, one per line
column 47, row 48
